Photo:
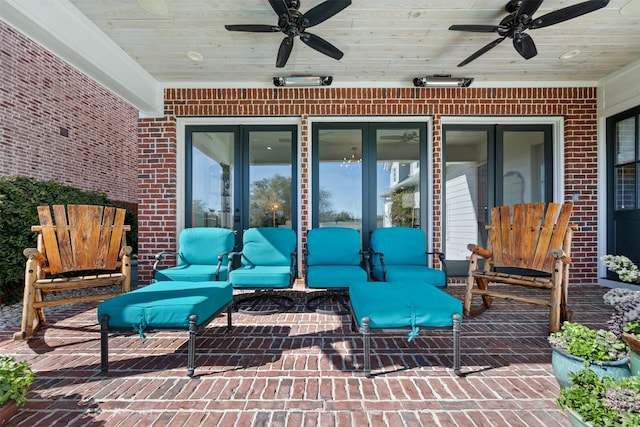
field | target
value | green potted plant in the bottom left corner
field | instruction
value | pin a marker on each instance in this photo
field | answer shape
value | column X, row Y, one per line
column 15, row 379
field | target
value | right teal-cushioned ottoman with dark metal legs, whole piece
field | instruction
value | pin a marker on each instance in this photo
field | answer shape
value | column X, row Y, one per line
column 392, row 307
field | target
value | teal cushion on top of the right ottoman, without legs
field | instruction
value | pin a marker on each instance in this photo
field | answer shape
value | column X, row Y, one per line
column 403, row 304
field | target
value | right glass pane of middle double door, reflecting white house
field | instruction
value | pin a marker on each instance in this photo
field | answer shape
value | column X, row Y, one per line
column 398, row 177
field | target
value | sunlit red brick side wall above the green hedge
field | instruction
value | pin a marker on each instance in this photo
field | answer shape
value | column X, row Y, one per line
column 39, row 95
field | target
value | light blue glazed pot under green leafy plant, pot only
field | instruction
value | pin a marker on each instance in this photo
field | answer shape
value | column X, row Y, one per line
column 563, row 363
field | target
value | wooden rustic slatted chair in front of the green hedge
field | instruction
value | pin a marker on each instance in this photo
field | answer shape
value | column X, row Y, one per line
column 85, row 248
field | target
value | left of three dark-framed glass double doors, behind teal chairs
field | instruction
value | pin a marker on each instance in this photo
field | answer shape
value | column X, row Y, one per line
column 240, row 176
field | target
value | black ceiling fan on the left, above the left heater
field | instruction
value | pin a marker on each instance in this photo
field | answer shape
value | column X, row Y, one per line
column 293, row 24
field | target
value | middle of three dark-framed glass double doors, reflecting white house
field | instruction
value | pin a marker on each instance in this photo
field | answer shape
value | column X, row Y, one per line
column 367, row 175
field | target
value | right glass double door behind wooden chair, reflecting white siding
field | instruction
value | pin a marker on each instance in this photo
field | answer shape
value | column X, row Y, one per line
column 487, row 166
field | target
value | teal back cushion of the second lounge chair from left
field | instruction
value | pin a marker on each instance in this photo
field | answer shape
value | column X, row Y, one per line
column 265, row 246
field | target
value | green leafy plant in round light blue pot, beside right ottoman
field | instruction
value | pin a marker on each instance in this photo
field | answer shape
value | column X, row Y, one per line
column 577, row 346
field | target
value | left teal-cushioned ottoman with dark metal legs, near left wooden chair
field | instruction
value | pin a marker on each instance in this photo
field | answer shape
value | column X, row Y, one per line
column 165, row 305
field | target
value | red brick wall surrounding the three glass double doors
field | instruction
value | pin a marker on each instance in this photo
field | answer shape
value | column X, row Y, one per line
column 157, row 148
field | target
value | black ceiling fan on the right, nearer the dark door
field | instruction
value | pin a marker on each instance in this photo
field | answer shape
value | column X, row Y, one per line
column 520, row 18
